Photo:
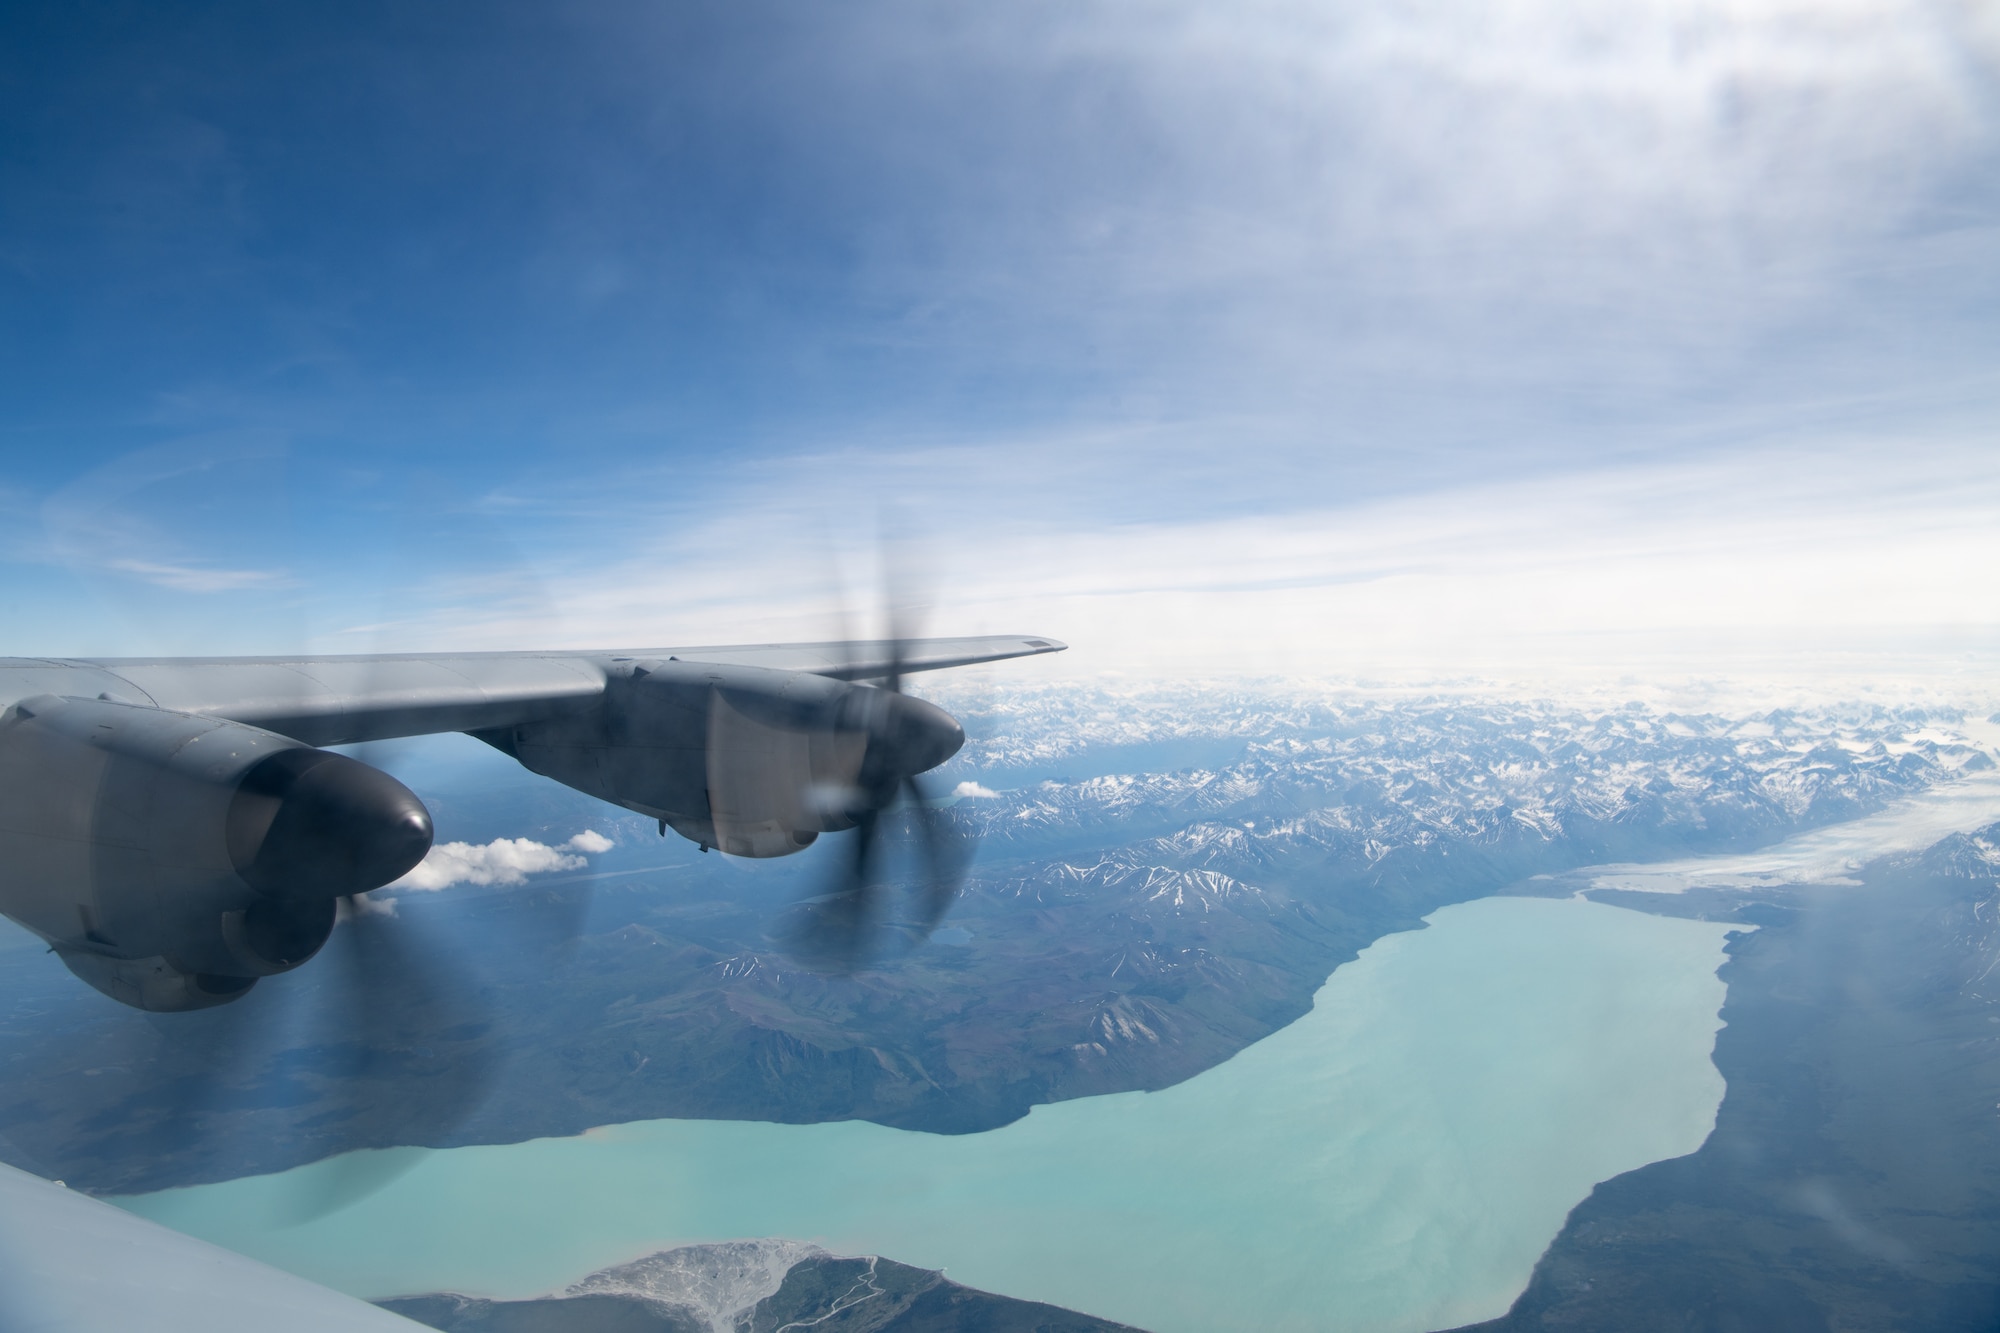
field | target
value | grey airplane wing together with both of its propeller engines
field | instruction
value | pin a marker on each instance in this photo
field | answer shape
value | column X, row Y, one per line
column 175, row 834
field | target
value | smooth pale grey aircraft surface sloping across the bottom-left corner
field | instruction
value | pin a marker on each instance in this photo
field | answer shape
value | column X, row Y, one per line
column 71, row 1264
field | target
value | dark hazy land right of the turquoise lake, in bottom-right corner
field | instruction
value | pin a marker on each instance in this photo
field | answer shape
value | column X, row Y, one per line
column 1853, row 1180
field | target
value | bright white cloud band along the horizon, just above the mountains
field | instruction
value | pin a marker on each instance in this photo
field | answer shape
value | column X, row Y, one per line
column 1803, row 557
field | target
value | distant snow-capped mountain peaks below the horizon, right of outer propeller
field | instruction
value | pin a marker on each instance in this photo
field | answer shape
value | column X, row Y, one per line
column 1357, row 784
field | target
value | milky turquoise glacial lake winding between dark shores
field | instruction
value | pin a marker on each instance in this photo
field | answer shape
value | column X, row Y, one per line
column 1395, row 1160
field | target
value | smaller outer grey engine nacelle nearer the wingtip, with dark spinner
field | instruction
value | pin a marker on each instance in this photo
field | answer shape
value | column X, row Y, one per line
column 745, row 760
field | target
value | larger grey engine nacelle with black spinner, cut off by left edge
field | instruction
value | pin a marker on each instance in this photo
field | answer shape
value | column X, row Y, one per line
column 175, row 860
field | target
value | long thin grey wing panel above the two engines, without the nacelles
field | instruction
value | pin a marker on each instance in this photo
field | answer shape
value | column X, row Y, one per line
column 375, row 698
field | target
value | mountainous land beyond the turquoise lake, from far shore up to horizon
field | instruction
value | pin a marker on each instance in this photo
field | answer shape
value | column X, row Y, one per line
column 1121, row 930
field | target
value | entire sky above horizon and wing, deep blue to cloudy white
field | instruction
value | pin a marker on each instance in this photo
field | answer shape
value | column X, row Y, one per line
column 1353, row 339
